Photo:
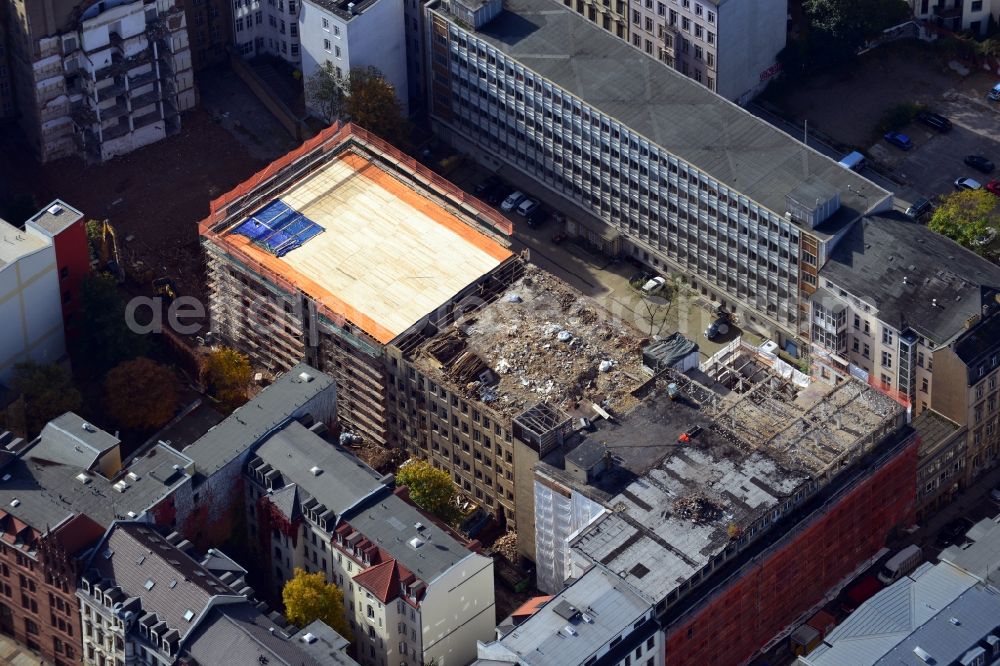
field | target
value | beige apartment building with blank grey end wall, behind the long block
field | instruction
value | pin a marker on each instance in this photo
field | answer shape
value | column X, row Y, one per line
column 729, row 46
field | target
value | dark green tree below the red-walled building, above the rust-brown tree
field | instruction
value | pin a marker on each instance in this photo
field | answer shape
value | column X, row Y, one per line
column 104, row 338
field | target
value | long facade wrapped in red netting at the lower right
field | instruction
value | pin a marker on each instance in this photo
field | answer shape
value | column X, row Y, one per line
column 785, row 580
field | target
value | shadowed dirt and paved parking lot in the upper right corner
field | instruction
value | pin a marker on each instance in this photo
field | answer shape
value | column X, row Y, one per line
column 847, row 105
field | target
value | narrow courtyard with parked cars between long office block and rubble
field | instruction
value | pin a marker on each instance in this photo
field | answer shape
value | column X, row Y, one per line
column 602, row 278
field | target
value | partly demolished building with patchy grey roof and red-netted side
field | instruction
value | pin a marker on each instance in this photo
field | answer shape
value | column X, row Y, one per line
column 733, row 498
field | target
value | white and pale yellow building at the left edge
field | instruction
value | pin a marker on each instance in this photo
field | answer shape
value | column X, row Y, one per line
column 30, row 301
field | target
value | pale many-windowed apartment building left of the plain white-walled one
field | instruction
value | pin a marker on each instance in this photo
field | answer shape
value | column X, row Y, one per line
column 270, row 28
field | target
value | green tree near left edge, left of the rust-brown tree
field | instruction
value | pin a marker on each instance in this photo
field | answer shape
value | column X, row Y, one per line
column 48, row 392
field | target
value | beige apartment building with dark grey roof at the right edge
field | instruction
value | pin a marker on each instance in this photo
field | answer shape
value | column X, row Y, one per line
column 916, row 314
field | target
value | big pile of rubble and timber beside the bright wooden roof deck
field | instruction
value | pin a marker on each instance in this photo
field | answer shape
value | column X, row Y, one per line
column 541, row 341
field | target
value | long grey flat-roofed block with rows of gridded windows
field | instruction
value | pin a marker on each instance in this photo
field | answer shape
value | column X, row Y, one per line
column 744, row 212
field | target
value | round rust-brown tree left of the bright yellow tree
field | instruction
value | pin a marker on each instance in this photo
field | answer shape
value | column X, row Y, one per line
column 141, row 394
